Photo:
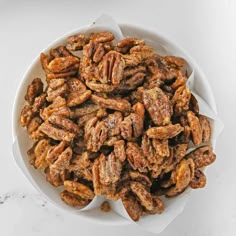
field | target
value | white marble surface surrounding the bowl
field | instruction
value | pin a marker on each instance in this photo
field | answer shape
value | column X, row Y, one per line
column 26, row 27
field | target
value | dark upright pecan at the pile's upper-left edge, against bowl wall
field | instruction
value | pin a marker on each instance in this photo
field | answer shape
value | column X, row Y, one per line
column 34, row 90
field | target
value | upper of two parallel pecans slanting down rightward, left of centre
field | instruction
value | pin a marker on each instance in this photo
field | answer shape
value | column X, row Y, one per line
column 65, row 123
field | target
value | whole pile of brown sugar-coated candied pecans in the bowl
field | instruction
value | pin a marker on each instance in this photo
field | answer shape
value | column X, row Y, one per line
column 116, row 119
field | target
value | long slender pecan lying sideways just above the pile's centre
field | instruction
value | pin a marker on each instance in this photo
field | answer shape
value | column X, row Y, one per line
column 118, row 104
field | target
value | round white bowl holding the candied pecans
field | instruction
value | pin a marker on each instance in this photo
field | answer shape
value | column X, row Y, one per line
column 22, row 142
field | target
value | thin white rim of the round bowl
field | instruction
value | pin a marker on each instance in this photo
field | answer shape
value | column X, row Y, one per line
column 140, row 27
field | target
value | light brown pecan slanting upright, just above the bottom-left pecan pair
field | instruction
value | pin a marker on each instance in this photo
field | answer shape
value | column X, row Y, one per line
column 57, row 169
